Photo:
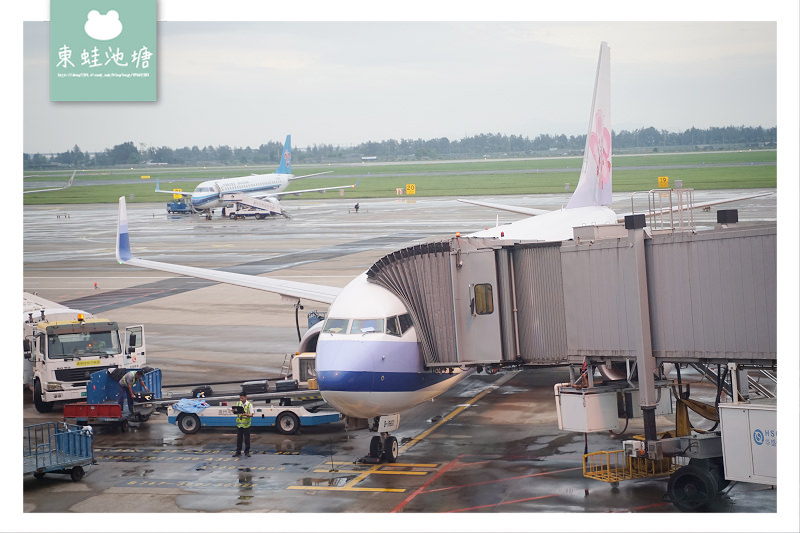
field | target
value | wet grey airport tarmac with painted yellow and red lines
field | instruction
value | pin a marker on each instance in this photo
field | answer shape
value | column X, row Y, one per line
column 489, row 445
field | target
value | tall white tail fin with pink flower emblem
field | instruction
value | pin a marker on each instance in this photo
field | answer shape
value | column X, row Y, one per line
column 594, row 184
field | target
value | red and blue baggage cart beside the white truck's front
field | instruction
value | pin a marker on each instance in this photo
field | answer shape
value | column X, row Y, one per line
column 102, row 406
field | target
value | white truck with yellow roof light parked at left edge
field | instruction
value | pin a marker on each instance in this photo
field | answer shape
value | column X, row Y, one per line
column 63, row 346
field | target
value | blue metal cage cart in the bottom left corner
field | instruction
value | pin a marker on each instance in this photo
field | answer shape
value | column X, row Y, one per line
column 58, row 448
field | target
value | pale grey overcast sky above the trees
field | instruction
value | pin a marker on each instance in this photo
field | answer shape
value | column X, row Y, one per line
column 244, row 84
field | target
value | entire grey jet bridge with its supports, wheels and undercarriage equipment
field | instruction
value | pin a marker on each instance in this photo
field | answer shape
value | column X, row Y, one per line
column 627, row 303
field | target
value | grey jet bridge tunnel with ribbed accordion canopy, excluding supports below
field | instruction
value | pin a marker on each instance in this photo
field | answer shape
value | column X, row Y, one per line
column 608, row 294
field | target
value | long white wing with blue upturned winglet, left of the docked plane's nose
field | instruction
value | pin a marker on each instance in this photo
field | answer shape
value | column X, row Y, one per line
column 289, row 289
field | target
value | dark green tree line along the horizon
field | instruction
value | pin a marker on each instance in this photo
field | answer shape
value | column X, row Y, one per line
column 476, row 146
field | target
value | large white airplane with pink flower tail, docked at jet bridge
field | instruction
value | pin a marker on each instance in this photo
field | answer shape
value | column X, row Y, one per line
column 369, row 363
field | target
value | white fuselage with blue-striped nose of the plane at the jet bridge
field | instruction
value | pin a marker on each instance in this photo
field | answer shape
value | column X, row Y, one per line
column 368, row 365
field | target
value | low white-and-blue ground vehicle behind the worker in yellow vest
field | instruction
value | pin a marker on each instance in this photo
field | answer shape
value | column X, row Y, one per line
column 287, row 420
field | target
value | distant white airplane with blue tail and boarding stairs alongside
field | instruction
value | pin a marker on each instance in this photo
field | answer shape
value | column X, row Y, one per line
column 208, row 195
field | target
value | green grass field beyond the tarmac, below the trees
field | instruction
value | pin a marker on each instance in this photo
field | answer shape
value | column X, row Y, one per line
column 490, row 177
